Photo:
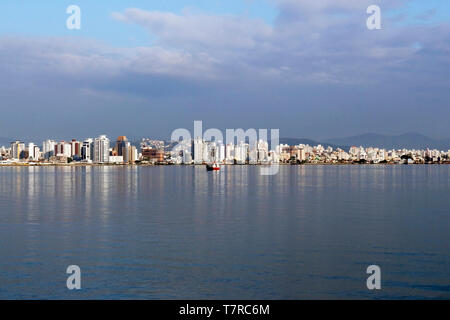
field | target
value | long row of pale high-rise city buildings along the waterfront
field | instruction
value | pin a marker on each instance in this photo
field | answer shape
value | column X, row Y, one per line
column 201, row 150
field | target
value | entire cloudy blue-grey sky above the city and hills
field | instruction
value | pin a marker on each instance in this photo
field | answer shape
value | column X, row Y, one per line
column 145, row 68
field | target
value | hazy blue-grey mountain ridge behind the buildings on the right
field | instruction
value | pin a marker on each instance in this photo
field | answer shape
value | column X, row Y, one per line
column 410, row 140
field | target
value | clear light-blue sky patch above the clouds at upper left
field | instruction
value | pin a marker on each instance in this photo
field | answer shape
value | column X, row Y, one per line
column 47, row 18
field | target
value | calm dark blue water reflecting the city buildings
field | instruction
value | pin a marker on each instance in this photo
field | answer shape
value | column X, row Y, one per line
column 179, row 232
